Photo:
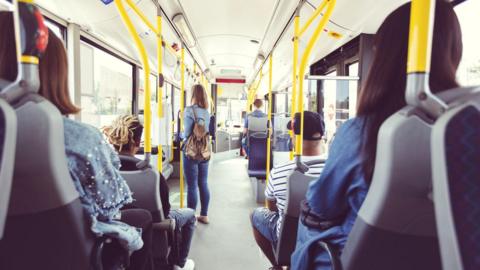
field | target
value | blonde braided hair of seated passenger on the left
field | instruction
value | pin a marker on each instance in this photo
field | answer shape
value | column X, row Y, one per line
column 121, row 132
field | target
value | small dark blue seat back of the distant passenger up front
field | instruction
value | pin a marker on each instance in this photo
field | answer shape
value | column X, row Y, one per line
column 257, row 159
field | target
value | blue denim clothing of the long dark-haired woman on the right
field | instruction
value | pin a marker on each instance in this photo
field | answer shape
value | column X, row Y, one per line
column 338, row 193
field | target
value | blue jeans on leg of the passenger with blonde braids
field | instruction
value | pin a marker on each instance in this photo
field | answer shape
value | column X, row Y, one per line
column 185, row 224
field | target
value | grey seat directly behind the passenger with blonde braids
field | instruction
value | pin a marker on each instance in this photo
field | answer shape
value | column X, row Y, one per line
column 145, row 185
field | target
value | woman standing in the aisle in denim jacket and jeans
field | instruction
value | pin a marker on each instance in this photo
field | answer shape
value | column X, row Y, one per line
column 196, row 170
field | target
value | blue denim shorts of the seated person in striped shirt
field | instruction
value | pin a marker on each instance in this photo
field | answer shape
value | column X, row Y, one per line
column 265, row 221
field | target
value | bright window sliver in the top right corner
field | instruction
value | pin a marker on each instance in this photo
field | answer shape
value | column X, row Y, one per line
column 469, row 71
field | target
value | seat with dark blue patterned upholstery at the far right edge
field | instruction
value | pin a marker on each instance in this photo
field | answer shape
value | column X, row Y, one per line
column 456, row 184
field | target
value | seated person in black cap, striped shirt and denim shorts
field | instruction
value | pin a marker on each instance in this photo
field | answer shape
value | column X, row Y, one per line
column 266, row 220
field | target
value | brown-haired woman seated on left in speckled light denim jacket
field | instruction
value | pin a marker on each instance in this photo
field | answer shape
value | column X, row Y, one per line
column 92, row 164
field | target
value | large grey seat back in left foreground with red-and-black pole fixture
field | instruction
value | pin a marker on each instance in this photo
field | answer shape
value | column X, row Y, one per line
column 46, row 226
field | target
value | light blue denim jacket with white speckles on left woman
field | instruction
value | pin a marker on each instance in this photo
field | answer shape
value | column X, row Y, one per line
column 94, row 168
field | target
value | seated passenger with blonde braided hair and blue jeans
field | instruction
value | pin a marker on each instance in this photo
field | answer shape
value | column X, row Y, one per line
column 125, row 134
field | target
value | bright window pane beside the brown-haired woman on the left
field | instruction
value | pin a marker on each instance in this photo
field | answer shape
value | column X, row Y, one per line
column 106, row 85
